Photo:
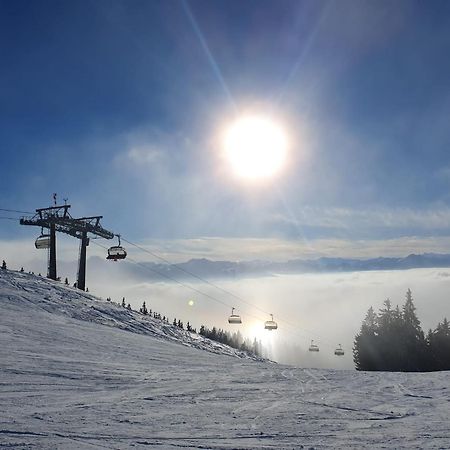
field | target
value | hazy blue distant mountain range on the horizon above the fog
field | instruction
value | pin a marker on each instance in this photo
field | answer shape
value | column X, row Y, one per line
column 205, row 268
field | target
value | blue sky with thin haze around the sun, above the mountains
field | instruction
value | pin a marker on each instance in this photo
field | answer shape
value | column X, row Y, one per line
column 118, row 106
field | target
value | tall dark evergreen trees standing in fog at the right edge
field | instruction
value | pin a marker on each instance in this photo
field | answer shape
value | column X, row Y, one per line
column 393, row 340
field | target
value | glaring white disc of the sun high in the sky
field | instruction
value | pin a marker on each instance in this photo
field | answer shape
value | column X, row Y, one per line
column 256, row 147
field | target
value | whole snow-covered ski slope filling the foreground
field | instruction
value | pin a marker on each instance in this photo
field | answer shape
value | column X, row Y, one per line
column 77, row 372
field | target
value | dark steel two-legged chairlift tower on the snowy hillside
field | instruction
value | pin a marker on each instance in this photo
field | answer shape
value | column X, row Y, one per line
column 57, row 219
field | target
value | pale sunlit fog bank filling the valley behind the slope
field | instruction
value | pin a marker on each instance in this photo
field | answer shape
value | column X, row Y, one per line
column 328, row 308
